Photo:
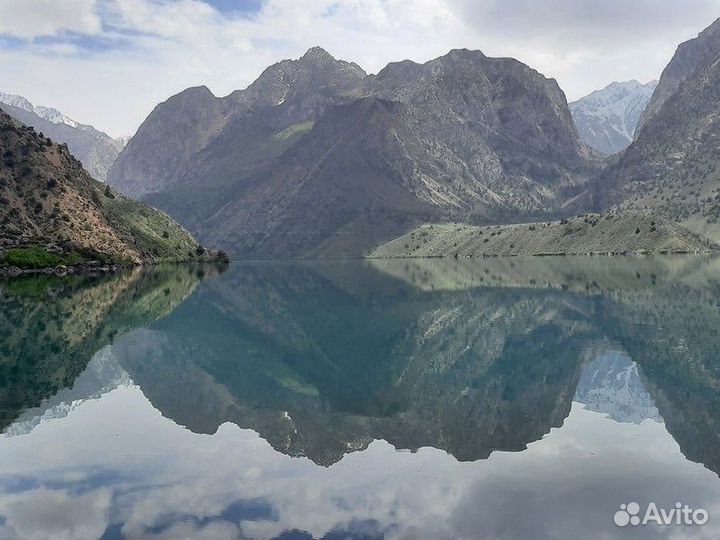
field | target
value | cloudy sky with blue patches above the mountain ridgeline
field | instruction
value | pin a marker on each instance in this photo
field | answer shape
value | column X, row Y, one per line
column 109, row 62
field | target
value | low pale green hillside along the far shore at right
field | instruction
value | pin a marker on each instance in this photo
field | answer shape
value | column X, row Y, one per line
column 588, row 234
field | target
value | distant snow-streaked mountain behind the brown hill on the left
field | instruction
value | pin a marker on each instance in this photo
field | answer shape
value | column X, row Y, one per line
column 95, row 150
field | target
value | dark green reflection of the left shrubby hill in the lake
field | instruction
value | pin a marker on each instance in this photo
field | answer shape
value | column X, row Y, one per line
column 50, row 327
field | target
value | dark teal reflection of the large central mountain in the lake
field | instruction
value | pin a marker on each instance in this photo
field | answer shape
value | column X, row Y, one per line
column 319, row 372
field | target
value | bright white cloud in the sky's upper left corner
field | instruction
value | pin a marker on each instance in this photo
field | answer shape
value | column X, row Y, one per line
column 35, row 18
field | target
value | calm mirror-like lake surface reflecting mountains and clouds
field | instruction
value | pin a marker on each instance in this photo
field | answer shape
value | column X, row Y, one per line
column 513, row 399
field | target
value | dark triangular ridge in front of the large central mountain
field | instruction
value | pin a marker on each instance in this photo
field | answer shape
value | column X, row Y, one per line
column 350, row 173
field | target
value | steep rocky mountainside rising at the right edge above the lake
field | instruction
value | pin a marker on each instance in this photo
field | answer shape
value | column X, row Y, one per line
column 671, row 169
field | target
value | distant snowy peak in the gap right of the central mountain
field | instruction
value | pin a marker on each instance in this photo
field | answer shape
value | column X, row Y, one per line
column 606, row 119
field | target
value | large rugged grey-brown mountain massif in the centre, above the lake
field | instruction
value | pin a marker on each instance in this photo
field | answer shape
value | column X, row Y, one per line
column 367, row 156
